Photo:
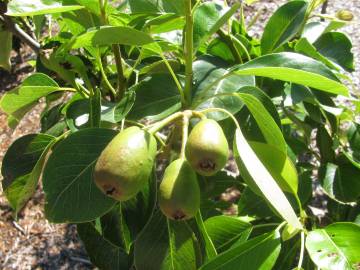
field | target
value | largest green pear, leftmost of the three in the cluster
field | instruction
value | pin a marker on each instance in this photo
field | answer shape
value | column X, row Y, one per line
column 126, row 164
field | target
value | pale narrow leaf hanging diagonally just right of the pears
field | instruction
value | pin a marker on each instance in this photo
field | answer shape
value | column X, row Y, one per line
column 263, row 179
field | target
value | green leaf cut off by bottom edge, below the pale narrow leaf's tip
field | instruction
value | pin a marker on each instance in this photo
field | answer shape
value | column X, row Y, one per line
column 259, row 253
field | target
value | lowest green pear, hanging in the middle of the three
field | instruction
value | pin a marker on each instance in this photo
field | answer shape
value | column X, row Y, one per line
column 179, row 192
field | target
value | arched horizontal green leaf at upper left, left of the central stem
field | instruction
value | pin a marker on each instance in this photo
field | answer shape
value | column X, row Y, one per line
column 108, row 35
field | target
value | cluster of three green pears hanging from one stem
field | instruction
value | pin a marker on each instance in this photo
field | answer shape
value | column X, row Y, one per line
column 126, row 164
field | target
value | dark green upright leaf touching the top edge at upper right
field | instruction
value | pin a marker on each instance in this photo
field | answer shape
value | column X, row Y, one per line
column 283, row 25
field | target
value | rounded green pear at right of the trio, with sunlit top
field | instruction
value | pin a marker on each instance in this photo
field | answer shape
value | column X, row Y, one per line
column 207, row 149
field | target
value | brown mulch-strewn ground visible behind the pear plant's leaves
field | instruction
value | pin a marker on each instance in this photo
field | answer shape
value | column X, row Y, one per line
column 34, row 243
